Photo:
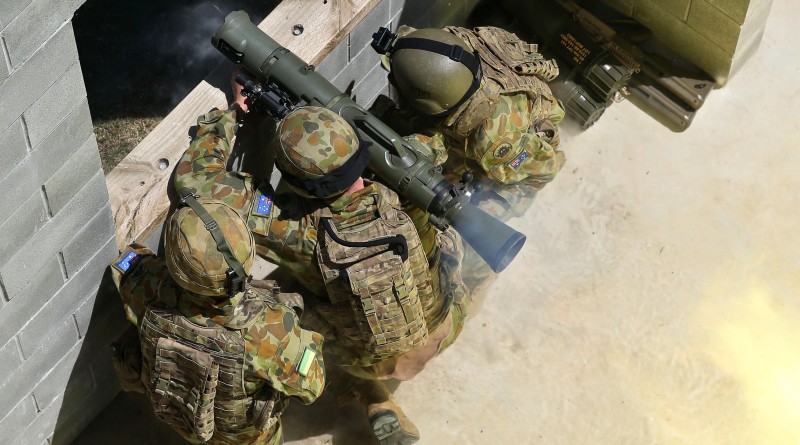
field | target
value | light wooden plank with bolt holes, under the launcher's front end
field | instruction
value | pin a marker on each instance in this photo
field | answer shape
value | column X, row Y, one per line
column 137, row 187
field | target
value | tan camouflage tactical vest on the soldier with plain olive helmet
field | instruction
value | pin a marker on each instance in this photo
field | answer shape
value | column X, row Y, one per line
column 509, row 66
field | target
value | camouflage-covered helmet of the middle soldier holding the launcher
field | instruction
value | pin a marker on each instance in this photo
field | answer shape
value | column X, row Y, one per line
column 313, row 142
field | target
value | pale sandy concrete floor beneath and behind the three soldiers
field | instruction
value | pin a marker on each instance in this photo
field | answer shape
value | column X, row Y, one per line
column 657, row 300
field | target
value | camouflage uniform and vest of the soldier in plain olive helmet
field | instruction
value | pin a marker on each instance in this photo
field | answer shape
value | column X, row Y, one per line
column 506, row 134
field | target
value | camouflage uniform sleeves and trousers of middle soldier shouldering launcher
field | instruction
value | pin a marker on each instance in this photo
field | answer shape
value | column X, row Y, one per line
column 285, row 227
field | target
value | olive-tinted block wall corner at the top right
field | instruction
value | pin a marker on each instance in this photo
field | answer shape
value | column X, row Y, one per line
column 716, row 35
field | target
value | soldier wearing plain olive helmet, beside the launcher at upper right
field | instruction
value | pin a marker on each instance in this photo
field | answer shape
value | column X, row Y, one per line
column 479, row 100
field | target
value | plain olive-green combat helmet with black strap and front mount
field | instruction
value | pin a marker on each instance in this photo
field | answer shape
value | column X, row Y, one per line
column 433, row 70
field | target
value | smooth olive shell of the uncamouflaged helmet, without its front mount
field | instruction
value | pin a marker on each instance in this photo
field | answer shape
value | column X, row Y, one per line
column 431, row 82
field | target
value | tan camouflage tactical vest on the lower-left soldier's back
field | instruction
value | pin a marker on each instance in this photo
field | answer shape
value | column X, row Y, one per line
column 195, row 375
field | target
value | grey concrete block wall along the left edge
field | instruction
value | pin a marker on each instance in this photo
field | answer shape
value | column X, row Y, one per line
column 56, row 233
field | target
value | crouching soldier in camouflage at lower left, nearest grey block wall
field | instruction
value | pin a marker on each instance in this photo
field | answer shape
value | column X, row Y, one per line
column 219, row 359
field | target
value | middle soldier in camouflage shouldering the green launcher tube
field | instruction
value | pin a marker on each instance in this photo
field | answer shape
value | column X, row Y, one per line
column 321, row 161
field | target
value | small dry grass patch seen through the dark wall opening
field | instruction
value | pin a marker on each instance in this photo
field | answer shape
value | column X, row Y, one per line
column 119, row 136
